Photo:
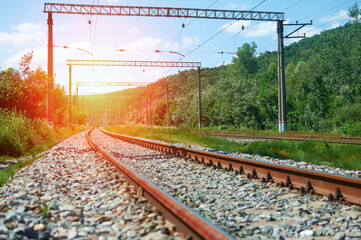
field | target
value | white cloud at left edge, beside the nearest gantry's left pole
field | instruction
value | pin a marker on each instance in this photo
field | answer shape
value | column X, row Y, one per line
column 26, row 35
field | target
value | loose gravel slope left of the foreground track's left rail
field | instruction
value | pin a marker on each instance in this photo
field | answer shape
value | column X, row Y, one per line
column 73, row 193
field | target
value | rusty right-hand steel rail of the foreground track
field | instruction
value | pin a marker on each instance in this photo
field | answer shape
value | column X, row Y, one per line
column 334, row 186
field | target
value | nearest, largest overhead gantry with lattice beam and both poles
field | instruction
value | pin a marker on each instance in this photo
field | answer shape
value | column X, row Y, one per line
column 141, row 11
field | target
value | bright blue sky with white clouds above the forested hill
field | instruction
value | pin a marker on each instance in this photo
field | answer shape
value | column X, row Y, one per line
column 23, row 28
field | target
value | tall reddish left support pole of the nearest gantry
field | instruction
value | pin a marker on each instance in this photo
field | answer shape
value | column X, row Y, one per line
column 50, row 96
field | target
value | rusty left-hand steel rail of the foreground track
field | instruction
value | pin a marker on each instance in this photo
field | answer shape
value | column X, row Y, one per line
column 185, row 219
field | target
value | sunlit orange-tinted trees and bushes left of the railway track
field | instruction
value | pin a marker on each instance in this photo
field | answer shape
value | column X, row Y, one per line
column 23, row 123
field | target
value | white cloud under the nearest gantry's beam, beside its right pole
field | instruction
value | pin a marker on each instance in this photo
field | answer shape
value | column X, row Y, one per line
column 251, row 29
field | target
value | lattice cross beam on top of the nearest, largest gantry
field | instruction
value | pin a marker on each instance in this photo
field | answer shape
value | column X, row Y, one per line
column 109, row 10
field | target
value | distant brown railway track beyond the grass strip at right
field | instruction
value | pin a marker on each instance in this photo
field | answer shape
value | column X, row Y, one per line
column 237, row 135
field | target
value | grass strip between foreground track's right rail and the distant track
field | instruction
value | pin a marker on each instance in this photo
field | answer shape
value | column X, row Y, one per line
column 323, row 153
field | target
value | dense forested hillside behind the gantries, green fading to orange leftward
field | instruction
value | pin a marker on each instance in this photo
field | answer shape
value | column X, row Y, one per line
column 323, row 88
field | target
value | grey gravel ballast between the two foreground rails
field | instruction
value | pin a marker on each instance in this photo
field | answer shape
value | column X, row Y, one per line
column 247, row 209
